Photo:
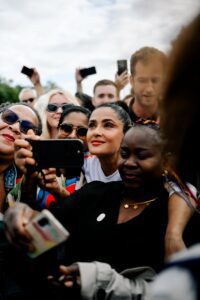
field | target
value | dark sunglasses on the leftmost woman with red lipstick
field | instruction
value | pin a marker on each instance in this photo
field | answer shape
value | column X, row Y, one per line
column 10, row 117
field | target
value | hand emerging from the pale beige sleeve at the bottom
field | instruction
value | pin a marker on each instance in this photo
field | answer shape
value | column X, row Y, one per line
column 69, row 277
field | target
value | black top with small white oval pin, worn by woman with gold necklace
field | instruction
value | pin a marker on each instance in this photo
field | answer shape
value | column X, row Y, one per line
column 140, row 241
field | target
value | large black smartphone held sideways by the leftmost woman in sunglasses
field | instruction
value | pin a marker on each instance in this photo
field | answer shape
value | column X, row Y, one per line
column 58, row 153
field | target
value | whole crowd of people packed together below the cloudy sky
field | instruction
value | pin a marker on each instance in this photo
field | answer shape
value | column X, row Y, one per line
column 132, row 209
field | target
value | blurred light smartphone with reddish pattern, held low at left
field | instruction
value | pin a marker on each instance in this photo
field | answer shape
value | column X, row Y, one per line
column 46, row 232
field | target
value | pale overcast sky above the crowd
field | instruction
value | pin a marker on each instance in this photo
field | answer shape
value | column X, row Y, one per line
column 56, row 36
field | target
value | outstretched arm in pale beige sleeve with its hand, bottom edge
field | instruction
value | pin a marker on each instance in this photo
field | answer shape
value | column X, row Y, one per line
column 93, row 278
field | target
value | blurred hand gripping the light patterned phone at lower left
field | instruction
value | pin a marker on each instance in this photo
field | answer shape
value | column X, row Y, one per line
column 15, row 219
